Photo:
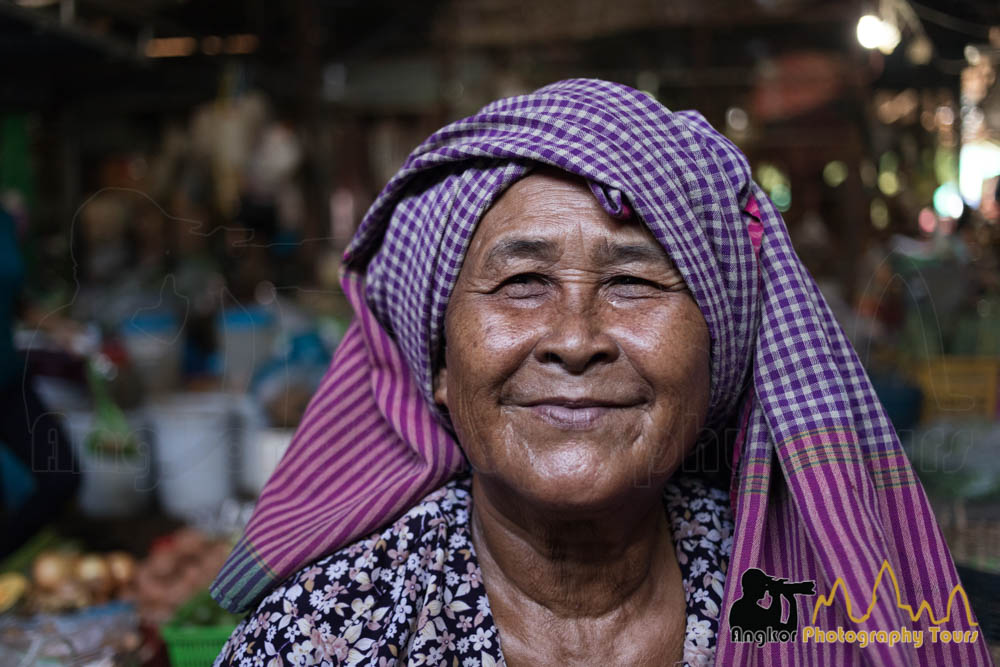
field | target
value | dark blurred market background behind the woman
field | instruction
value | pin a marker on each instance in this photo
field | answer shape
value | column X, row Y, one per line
column 178, row 180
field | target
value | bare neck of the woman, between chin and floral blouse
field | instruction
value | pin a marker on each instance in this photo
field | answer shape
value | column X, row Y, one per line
column 610, row 575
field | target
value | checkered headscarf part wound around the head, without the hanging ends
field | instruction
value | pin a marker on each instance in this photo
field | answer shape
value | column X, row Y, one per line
column 415, row 236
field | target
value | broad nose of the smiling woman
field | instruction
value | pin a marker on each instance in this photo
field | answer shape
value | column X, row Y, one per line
column 576, row 339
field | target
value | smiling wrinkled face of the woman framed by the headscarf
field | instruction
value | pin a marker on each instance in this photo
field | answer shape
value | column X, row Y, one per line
column 576, row 364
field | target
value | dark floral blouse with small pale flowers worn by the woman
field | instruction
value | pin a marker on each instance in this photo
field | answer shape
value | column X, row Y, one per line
column 413, row 594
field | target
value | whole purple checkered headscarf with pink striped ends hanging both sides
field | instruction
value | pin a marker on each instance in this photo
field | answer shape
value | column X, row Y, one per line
column 821, row 488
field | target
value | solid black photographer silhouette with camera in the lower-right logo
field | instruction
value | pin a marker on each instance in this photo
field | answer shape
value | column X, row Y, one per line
column 757, row 616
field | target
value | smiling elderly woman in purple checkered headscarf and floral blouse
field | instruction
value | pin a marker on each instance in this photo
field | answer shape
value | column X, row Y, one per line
column 589, row 386
